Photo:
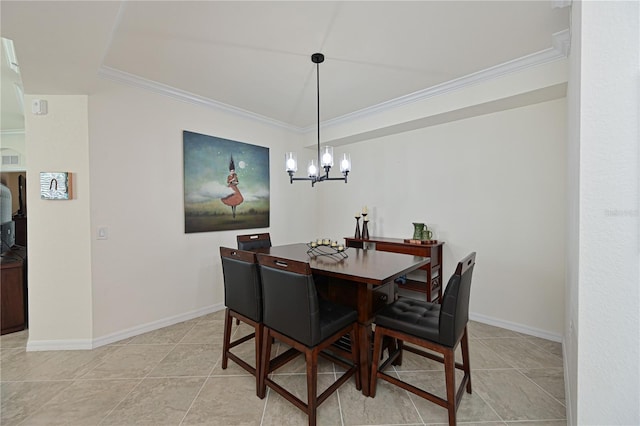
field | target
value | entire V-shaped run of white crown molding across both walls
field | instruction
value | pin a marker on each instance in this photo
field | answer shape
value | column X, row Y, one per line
column 560, row 50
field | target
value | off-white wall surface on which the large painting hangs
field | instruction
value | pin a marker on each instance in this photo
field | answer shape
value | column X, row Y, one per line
column 149, row 272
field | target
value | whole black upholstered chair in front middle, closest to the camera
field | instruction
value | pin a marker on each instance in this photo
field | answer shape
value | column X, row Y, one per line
column 294, row 315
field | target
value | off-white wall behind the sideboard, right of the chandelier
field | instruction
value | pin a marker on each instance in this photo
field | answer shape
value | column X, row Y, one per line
column 494, row 184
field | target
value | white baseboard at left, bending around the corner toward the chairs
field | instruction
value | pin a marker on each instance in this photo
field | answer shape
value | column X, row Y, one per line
column 87, row 344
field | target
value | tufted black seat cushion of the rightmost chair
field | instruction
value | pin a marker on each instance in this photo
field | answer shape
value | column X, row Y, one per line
column 415, row 317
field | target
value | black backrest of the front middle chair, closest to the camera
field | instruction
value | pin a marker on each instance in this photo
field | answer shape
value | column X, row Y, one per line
column 290, row 300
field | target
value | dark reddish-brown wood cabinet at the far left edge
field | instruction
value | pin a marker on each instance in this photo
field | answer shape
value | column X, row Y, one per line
column 13, row 290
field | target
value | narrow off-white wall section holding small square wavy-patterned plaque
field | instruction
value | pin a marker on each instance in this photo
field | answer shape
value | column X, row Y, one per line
column 59, row 250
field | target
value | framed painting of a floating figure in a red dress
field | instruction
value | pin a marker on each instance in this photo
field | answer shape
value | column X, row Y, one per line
column 226, row 184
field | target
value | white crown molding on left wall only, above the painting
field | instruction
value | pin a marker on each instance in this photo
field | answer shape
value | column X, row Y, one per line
column 118, row 76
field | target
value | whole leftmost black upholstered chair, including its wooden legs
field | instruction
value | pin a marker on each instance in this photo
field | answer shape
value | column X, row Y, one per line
column 243, row 299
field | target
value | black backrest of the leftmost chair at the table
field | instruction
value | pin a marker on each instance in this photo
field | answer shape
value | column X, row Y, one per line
column 242, row 286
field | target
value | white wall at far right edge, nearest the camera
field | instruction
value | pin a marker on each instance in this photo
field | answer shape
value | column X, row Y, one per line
column 604, row 299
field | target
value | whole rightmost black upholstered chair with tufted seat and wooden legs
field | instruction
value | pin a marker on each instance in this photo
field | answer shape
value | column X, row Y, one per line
column 437, row 328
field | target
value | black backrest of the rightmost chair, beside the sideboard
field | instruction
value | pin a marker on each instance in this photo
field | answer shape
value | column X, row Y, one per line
column 454, row 312
